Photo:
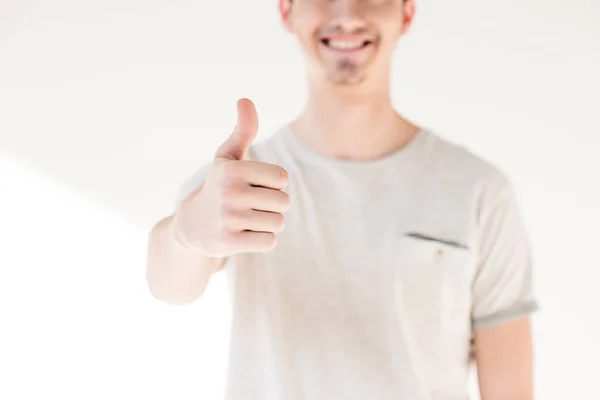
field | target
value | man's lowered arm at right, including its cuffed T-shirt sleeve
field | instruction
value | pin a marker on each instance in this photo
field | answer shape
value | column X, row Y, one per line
column 503, row 299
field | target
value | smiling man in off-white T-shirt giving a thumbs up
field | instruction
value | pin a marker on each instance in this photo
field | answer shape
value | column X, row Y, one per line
column 398, row 246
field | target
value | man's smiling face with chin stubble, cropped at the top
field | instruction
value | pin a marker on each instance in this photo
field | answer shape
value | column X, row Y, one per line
column 347, row 41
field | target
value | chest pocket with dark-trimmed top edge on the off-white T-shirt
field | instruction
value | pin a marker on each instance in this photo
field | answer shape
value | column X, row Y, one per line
column 432, row 280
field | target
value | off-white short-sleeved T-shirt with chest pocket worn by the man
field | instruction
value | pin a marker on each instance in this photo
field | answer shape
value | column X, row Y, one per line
column 382, row 274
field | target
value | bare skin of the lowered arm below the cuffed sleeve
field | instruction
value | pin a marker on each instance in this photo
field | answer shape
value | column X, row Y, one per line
column 505, row 361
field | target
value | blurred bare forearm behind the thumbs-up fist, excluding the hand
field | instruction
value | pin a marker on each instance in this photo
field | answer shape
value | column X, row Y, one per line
column 174, row 273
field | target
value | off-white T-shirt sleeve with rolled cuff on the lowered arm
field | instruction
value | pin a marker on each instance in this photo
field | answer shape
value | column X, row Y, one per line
column 503, row 285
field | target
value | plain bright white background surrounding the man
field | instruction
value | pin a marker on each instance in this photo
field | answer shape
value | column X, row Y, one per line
column 107, row 106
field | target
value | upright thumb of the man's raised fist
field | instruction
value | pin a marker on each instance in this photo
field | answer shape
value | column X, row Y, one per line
column 236, row 146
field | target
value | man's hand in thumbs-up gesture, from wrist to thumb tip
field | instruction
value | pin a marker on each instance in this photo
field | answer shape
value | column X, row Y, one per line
column 240, row 206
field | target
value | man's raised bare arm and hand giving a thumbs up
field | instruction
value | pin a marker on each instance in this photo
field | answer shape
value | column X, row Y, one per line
column 230, row 206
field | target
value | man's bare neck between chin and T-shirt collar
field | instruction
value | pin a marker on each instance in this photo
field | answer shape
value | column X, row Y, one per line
column 352, row 123
